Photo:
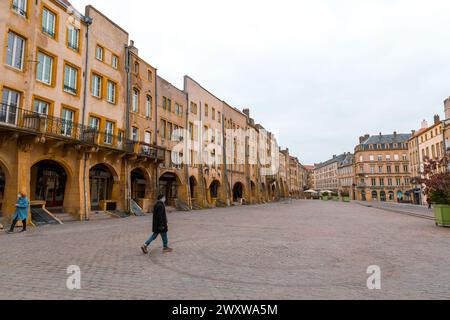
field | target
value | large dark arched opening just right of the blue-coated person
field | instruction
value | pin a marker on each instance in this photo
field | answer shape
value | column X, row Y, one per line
column 48, row 183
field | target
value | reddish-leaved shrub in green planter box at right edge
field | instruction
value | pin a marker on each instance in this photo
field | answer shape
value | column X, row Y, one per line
column 437, row 188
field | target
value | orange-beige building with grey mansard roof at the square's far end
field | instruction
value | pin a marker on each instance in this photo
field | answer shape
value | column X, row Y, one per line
column 382, row 168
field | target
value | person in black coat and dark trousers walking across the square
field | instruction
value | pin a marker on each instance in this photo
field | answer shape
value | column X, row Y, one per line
column 159, row 226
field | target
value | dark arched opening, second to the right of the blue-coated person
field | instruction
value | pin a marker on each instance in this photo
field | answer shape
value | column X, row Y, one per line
column 101, row 182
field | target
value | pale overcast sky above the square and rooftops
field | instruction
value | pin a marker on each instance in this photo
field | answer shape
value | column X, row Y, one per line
column 320, row 73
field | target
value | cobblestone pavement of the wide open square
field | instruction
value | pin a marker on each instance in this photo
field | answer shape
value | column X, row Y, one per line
column 302, row 250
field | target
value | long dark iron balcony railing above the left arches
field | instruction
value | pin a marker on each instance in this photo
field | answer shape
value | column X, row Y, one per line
column 16, row 118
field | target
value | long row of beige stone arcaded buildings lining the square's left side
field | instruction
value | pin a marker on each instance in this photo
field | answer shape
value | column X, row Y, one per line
column 90, row 126
